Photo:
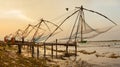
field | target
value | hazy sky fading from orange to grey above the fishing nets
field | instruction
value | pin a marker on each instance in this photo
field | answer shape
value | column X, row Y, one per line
column 15, row 14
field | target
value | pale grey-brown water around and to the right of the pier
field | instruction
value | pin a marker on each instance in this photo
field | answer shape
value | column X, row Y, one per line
column 101, row 57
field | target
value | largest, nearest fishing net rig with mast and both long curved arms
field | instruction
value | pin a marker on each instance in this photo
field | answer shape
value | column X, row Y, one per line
column 82, row 27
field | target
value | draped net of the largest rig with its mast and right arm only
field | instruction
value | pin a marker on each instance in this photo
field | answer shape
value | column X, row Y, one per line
column 82, row 30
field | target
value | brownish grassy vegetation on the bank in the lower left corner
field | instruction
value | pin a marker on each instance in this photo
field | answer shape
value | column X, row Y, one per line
column 12, row 59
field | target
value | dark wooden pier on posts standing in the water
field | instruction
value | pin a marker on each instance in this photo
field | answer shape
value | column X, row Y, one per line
column 32, row 45
